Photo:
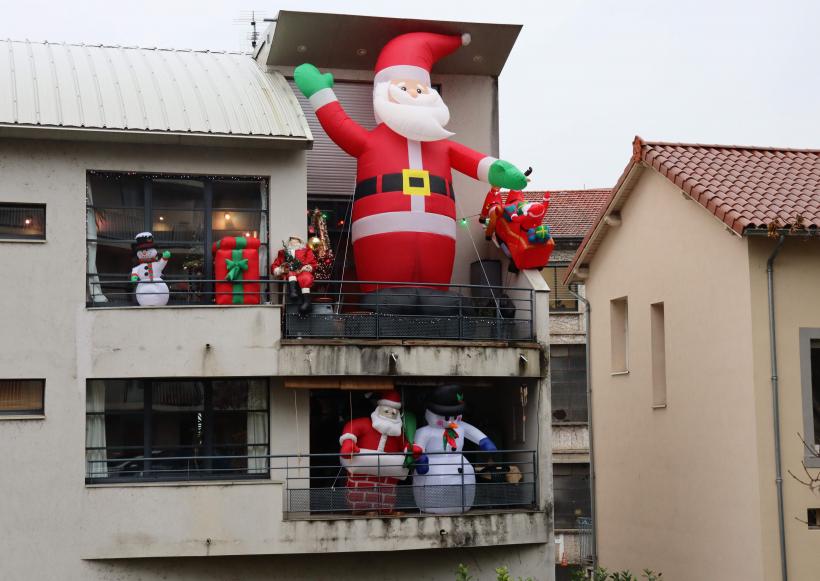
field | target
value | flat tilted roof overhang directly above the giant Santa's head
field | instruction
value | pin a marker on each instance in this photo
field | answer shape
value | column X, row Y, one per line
column 345, row 41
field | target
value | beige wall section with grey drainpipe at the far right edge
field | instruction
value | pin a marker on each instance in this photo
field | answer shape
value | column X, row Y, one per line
column 796, row 279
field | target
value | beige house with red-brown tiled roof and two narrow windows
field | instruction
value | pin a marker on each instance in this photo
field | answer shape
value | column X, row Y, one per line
column 683, row 369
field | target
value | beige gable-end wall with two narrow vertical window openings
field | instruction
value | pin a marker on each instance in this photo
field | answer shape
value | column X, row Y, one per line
column 676, row 487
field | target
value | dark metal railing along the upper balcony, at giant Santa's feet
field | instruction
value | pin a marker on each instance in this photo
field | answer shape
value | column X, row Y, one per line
column 344, row 309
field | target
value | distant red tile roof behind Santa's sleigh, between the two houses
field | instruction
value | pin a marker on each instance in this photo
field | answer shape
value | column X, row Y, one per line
column 572, row 212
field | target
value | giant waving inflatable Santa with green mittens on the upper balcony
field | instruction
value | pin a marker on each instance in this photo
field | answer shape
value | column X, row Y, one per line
column 404, row 213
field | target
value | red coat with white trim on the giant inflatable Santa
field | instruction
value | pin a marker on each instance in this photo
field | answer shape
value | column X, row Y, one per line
column 399, row 237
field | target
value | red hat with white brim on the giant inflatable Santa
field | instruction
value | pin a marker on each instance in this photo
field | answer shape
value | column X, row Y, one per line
column 412, row 55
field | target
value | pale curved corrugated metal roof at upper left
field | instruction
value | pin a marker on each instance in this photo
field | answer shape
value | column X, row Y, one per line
column 129, row 89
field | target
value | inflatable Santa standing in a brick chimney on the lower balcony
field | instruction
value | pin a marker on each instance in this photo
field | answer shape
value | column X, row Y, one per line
column 373, row 452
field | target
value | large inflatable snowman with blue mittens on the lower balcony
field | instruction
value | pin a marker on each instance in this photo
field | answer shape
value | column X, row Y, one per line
column 448, row 487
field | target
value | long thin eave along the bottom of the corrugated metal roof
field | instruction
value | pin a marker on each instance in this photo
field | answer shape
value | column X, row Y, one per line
column 20, row 131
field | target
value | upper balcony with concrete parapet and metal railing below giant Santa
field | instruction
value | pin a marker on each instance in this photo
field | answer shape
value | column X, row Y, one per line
column 438, row 330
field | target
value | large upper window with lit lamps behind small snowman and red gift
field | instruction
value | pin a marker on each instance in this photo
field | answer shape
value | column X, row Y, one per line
column 186, row 215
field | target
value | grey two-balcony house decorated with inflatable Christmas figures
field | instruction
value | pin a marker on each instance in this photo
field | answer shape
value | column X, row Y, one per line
column 186, row 441
